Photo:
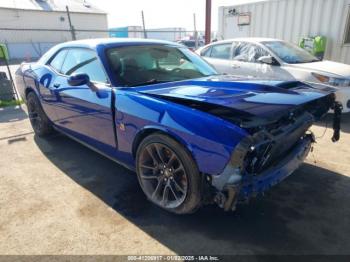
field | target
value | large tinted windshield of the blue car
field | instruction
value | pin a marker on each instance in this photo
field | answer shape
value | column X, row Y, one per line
column 142, row 65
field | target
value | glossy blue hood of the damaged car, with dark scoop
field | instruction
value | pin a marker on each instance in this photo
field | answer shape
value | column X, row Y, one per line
column 264, row 99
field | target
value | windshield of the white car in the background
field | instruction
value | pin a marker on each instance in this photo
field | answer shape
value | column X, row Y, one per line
column 289, row 53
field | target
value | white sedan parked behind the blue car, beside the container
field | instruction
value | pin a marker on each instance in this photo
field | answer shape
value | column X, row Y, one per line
column 276, row 59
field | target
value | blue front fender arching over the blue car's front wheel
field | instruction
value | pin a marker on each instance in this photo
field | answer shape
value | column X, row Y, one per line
column 209, row 139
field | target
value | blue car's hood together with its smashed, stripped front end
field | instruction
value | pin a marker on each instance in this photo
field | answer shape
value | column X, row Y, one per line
column 276, row 117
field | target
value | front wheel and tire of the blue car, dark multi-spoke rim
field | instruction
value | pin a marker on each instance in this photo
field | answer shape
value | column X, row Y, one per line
column 163, row 165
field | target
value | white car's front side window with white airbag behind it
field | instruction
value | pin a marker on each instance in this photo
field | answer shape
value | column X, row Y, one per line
column 248, row 52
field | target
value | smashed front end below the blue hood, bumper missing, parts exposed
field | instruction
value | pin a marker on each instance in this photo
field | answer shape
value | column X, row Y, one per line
column 271, row 153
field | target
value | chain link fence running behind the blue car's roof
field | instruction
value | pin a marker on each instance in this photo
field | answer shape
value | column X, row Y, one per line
column 30, row 44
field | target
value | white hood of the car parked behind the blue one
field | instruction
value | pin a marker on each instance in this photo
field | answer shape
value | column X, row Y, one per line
column 327, row 67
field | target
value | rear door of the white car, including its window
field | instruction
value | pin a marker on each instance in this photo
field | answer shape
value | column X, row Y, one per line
column 219, row 56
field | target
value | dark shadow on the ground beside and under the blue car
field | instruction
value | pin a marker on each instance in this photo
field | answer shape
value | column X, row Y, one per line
column 306, row 214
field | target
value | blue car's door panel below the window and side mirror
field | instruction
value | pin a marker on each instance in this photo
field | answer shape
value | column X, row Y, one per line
column 88, row 115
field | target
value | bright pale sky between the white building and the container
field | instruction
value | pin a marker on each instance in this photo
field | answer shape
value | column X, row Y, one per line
column 161, row 13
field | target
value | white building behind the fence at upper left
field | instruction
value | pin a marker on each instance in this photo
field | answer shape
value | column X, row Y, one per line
column 30, row 27
